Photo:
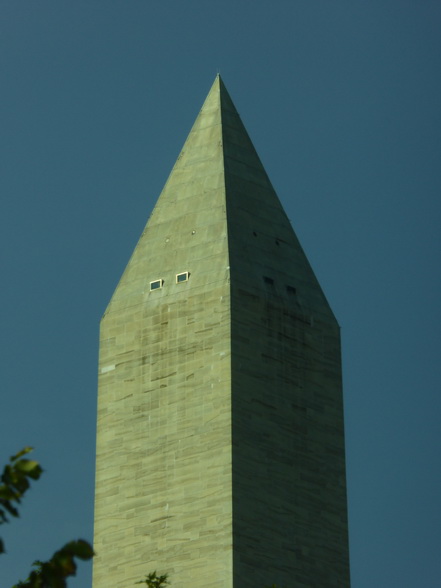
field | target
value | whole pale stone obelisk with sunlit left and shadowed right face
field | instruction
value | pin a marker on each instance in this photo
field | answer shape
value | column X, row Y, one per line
column 220, row 444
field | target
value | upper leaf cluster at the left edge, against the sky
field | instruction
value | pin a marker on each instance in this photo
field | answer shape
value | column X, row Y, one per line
column 14, row 484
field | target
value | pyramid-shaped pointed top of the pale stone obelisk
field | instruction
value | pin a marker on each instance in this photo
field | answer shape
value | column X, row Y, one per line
column 218, row 203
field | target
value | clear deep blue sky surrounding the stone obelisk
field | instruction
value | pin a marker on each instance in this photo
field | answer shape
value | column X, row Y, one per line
column 342, row 101
